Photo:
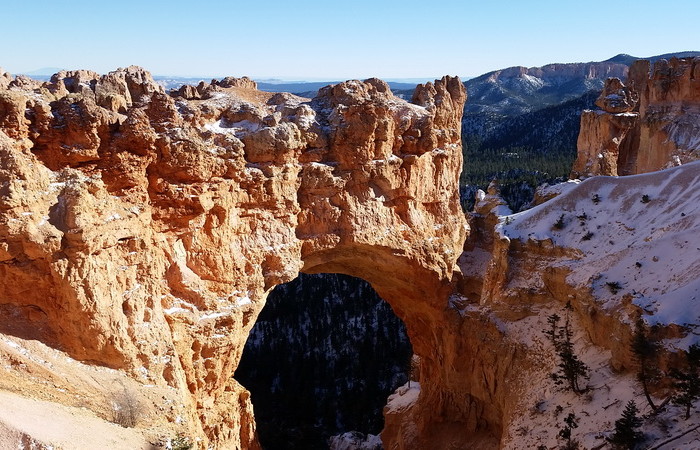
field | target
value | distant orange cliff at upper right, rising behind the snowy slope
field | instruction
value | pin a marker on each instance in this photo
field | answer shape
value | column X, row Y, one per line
column 646, row 125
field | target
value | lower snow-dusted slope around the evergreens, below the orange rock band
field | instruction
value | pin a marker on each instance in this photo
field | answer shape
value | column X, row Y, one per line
column 543, row 408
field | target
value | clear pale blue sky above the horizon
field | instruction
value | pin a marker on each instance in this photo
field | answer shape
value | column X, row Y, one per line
column 313, row 39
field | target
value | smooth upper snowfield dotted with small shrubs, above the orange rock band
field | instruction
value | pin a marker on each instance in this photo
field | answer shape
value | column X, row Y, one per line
column 636, row 237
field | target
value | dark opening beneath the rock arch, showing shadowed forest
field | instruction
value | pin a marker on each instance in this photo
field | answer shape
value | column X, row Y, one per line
column 324, row 355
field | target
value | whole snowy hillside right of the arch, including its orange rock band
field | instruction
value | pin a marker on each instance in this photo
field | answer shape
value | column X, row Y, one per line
column 616, row 248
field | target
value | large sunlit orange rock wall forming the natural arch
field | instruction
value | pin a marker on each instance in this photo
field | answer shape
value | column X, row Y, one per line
column 141, row 232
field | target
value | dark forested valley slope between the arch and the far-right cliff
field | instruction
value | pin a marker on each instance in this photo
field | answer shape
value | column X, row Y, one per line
column 521, row 152
